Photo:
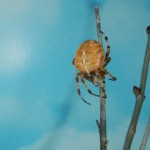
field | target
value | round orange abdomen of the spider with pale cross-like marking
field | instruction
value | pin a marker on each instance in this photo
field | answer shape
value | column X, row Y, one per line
column 89, row 57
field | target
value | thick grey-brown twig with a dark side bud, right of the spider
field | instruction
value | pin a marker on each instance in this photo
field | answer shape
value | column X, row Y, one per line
column 140, row 96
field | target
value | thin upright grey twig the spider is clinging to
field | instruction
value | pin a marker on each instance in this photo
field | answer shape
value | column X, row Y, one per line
column 102, row 124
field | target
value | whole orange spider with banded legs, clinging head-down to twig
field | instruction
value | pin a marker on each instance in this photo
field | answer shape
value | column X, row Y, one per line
column 90, row 61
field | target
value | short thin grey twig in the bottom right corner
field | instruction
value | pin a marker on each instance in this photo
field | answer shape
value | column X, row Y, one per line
column 146, row 135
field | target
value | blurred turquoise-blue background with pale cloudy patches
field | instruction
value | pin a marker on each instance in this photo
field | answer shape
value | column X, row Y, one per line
column 39, row 105
